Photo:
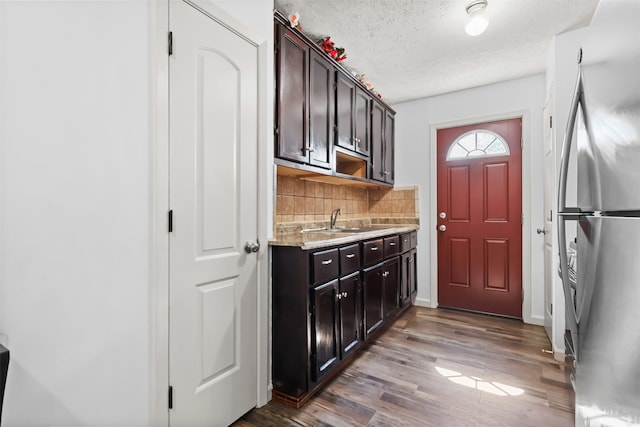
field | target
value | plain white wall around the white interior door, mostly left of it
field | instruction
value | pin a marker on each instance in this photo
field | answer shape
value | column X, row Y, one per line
column 76, row 153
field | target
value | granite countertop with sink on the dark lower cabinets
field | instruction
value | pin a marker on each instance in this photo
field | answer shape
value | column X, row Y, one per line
column 317, row 239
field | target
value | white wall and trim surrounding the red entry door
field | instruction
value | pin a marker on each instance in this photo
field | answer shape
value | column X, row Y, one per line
column 415, row 122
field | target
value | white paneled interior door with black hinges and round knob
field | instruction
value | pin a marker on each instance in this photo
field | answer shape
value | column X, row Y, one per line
column 213, row 196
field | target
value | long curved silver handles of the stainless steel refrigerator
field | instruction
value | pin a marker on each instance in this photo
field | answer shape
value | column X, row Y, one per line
column 578, row 98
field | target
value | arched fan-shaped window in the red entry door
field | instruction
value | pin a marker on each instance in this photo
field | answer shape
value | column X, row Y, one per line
column 478, row 143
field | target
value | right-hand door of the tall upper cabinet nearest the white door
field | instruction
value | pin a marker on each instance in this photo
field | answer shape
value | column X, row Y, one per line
column 321, row 111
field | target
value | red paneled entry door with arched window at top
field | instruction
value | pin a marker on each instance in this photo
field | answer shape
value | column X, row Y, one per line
column 479, row 217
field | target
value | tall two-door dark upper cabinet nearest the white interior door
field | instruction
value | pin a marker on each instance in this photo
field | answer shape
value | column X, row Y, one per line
column 305, row 107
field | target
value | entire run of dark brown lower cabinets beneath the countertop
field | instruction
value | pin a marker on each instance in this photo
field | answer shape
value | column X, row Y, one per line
column 327, row 305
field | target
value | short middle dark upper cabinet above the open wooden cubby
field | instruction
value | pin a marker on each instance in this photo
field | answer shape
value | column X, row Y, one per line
column 352, row 115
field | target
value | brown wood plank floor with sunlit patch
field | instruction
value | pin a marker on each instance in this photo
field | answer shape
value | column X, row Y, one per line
column 437, row 367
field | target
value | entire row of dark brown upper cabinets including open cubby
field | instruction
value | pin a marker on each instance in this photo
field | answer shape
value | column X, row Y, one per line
column 326, row 122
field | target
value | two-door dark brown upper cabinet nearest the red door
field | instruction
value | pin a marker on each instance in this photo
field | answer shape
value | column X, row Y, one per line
column 382, row 144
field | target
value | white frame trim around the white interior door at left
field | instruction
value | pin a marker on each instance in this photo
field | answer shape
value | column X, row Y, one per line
column 159, row 204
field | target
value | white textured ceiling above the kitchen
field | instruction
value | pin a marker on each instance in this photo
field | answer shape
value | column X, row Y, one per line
column 411, row 49
